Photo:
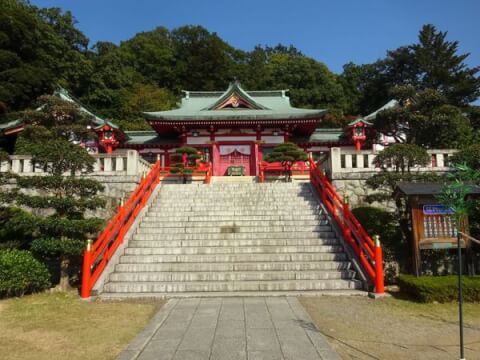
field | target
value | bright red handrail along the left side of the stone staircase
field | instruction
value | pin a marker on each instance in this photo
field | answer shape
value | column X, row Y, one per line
column 97, row 254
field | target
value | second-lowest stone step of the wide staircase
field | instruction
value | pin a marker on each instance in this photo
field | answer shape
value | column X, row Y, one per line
column 151, row 276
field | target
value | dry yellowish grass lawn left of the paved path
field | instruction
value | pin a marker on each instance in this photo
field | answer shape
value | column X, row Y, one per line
column 61, row 326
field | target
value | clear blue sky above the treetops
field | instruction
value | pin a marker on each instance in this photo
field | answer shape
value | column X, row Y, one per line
column 334, row 31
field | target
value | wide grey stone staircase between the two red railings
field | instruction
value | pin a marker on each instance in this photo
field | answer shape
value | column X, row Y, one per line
column 232, row 239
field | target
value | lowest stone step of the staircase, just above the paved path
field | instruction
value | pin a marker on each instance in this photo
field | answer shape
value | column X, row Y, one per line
column 199, row 286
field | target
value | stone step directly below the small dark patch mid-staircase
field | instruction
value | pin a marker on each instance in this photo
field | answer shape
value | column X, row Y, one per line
column 237, row 236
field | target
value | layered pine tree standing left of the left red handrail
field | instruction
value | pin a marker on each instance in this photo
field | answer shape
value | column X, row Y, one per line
column 59, row 200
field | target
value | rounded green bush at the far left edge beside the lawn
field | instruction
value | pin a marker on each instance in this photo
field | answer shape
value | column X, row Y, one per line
column 21, row 273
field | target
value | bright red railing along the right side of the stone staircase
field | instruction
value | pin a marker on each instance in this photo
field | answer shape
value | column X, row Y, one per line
column 368, row 251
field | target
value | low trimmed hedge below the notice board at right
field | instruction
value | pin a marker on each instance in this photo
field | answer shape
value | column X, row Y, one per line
column 439, row 288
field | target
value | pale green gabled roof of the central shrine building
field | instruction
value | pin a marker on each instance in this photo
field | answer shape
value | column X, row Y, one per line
column 202, row 105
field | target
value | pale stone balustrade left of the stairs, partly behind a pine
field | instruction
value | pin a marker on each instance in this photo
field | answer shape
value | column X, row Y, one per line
column 120, row 162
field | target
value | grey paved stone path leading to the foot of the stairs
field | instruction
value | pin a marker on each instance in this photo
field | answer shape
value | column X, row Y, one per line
column 230, row 329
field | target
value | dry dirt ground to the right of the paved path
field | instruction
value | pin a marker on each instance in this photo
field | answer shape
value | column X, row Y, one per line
column 389, row 328
